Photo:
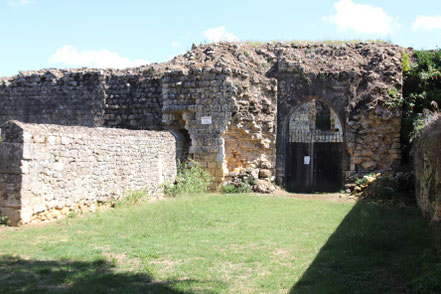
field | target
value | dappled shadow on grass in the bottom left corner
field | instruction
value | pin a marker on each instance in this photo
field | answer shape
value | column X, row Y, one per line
column 31, row 276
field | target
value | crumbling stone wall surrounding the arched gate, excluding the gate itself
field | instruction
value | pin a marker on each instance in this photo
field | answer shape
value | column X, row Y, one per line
column 360, row 82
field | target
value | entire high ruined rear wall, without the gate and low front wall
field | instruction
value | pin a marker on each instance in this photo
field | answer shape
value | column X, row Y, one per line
column 247, row 89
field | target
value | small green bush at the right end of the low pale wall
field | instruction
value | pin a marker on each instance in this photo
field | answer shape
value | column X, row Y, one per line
column 191, row 179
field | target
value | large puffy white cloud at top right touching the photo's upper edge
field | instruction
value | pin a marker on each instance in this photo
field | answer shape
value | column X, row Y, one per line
column 361, row 18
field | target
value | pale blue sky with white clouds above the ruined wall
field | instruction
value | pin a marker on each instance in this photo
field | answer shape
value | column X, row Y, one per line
column 63, row 33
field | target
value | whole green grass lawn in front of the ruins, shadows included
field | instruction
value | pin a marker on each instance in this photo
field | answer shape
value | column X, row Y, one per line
column 220, row 244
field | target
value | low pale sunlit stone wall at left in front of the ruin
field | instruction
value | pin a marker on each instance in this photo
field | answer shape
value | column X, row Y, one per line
column 48, row 170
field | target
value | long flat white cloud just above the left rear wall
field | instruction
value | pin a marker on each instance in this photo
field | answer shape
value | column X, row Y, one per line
column 102, row 58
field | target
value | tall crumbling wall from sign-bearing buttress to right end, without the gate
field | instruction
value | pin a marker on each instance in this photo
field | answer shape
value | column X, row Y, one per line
column 259, row 85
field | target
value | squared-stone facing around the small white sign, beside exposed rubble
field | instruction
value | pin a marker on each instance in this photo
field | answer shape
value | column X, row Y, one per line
column 188, row 96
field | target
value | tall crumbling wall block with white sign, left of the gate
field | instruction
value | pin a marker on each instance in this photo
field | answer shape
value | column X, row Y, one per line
column 226, row 82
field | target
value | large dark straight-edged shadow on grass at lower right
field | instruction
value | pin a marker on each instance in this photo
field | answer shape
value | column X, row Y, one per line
column 376, row 249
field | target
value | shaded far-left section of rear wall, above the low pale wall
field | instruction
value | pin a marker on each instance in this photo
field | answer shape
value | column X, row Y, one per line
column 53, row 96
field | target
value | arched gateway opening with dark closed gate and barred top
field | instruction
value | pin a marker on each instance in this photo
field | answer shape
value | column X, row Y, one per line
column 314, row 148
